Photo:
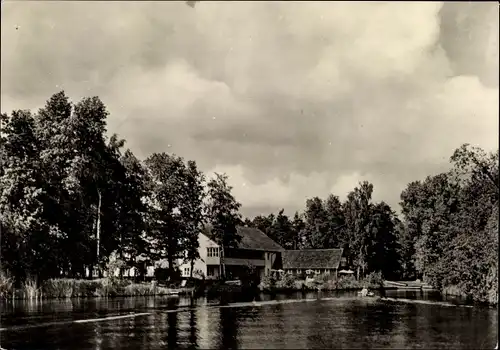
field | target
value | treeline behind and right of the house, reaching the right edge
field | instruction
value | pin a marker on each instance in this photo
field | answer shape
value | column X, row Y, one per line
column 447, row 234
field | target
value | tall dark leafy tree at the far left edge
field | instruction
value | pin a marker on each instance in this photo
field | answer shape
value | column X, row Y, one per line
column 26, row 235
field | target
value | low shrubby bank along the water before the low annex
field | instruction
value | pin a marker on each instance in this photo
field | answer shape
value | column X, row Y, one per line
column 323, row 282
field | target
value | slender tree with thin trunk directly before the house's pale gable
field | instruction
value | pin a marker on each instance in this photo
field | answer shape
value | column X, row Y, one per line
column 222, row 213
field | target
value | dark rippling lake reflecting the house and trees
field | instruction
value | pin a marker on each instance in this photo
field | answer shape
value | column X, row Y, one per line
column 307, row 321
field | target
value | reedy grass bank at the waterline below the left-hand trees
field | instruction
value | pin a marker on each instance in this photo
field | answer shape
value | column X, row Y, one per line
column 72, row 288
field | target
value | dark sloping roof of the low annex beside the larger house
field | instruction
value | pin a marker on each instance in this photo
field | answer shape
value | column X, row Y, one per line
column 312, row 259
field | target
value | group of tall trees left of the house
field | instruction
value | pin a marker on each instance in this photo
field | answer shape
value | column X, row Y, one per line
column 71, row 197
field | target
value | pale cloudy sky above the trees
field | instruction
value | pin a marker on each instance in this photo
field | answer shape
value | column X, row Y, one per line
column 290, row 99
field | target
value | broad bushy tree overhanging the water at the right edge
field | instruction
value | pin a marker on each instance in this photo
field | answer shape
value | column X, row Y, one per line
column 453, row 218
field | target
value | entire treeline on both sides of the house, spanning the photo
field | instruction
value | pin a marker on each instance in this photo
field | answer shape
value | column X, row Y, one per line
column 67, row 189
